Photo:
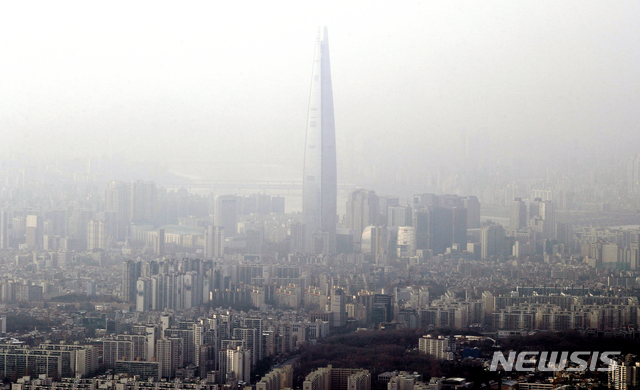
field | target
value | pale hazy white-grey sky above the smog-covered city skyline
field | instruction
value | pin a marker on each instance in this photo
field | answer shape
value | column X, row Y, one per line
column 210, row 87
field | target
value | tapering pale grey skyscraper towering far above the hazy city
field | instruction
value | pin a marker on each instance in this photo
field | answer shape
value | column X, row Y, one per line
column 319, row 180
